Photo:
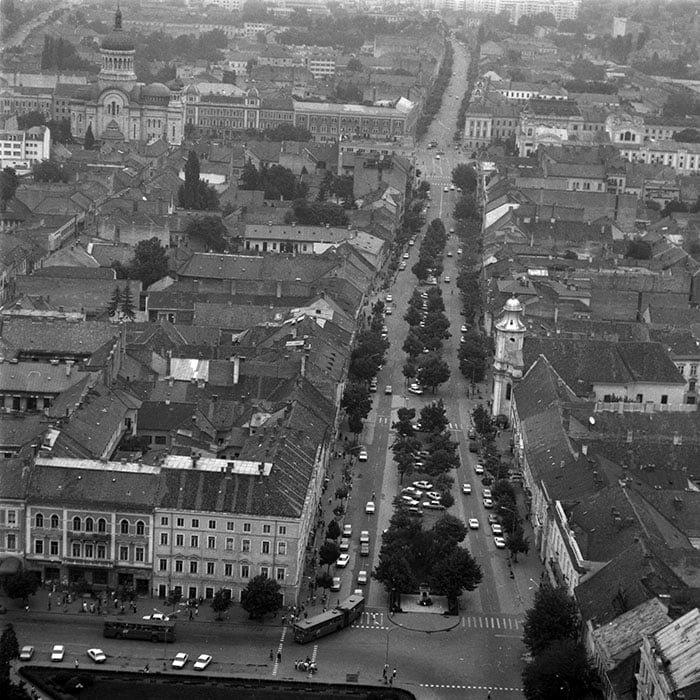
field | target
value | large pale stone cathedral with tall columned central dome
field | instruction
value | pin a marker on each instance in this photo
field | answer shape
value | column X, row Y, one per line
column 118, row 107
